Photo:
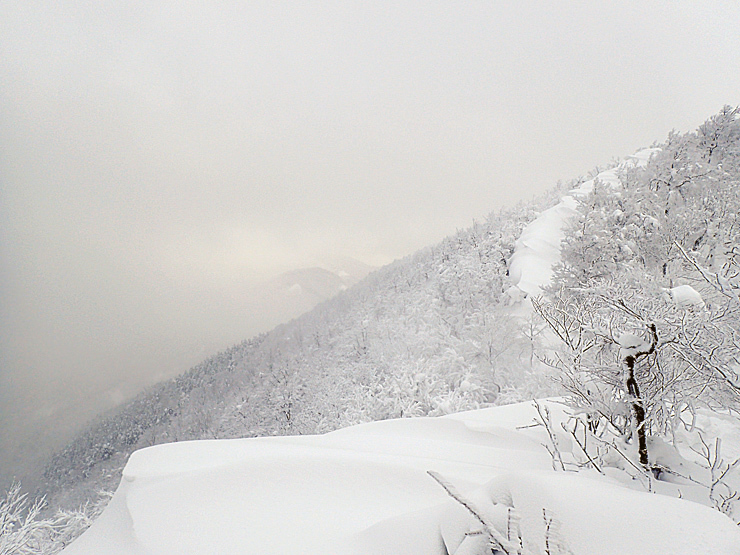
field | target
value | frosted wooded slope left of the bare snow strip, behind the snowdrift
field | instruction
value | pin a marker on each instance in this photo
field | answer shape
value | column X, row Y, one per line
column 427, row 335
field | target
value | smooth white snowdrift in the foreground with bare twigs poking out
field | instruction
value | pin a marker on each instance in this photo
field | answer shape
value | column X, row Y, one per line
column 365, row 490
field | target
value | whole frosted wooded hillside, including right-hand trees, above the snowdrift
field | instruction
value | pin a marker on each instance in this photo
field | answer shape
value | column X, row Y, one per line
column 649, row 272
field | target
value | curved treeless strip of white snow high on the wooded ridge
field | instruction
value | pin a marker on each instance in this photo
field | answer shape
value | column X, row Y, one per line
column 538, row 248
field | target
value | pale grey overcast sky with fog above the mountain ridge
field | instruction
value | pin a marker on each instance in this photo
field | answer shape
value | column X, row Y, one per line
column 159, row 158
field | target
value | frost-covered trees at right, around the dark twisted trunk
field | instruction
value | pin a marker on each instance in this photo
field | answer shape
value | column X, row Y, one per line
column 645, row 302
